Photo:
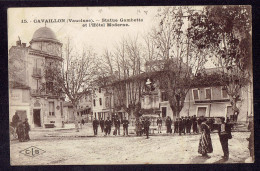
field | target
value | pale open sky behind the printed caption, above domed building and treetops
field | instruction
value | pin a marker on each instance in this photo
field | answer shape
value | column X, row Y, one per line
column 99, row 38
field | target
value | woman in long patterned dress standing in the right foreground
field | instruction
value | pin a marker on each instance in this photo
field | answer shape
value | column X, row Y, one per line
column 205, row 144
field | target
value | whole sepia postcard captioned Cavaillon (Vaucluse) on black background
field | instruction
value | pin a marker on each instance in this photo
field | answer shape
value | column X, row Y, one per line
column 130, row 85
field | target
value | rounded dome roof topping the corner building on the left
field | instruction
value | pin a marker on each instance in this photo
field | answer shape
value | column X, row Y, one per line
column 44, row 34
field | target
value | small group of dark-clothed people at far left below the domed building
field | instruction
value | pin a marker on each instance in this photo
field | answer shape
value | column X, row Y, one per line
column 22, row 128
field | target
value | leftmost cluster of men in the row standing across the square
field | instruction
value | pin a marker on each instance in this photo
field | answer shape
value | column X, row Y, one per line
column 107, row 125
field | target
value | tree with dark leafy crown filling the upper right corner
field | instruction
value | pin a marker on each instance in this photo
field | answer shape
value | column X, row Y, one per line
column 225, row 32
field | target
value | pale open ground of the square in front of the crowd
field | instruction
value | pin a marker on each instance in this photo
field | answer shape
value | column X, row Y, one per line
column 70, row 147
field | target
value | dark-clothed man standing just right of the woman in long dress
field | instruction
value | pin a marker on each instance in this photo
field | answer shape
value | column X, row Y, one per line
column 224, row 134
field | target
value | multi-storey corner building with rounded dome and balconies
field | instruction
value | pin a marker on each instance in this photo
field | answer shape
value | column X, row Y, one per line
column 27, row 65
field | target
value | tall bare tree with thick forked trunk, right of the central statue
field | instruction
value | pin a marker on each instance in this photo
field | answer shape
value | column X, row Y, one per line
column 180, row 58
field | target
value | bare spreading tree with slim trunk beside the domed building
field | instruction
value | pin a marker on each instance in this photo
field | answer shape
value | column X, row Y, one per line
column 73, row 76
